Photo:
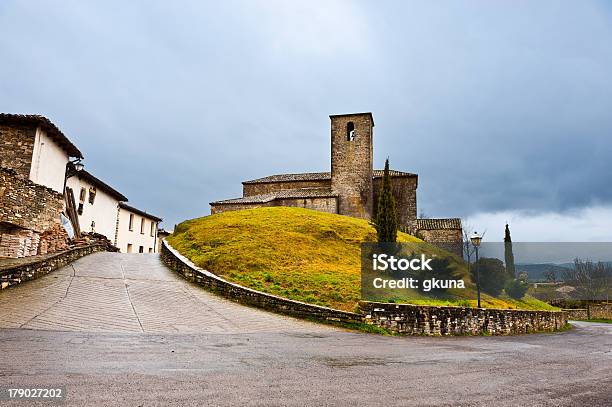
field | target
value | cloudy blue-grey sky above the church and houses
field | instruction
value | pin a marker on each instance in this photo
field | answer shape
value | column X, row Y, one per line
column 504, row 109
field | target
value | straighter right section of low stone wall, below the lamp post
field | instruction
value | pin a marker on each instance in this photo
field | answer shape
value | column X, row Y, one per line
column 430, row 320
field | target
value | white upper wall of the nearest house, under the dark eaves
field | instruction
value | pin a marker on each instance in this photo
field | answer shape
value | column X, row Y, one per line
column 48, row 162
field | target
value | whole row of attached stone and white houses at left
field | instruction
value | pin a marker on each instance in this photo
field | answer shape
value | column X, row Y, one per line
column 32, row 148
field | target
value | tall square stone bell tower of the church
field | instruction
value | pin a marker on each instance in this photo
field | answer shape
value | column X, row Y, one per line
column 351, row 165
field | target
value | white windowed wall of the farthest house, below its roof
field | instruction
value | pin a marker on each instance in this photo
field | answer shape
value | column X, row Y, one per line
column 134, row 237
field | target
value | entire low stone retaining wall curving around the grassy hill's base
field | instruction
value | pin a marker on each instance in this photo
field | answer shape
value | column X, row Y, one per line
column 399, row 318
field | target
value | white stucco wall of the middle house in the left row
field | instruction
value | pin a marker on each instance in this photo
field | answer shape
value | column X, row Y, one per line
column 103, row 211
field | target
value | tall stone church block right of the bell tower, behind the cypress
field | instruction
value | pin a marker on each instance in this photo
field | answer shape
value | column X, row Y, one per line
column 404, row 193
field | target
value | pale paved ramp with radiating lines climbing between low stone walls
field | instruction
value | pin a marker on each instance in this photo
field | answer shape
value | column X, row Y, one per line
column 111, row 292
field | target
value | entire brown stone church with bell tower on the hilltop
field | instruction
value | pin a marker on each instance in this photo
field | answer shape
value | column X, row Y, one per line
column 351, row 188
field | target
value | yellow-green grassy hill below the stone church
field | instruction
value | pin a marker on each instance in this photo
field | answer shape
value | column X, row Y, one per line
column 299, row 254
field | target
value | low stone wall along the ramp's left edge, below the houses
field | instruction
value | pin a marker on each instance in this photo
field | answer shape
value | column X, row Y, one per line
column 42, row 265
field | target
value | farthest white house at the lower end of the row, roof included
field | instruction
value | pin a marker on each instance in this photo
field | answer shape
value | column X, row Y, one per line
column 137, row 230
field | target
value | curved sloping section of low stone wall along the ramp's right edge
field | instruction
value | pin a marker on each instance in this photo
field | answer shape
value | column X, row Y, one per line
column 183, row 266
